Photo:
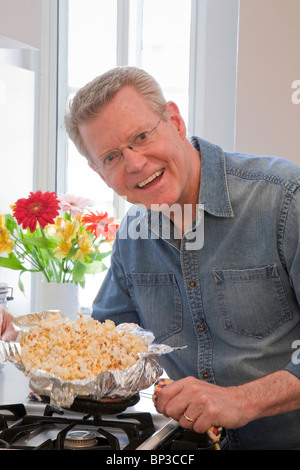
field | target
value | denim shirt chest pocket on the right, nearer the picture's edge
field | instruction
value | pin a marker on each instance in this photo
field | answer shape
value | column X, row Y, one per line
column 252, row 301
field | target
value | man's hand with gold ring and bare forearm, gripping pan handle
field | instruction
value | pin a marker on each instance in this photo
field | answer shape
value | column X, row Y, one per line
column 199, row 405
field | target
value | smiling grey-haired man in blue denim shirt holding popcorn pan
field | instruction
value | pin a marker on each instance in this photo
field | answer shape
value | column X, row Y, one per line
column 233, row 299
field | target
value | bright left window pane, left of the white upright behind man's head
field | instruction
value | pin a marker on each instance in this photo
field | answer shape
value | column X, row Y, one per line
column 87, row 51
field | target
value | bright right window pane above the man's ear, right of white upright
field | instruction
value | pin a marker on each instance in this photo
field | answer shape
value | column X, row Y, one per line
column 159, row 42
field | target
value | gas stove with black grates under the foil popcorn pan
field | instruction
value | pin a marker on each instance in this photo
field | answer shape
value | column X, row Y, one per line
column 132, row 424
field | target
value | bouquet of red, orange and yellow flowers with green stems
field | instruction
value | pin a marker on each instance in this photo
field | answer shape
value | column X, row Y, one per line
column 59, row 237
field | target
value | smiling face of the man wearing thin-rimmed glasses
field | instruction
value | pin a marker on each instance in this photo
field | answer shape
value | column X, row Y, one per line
column 167, row 171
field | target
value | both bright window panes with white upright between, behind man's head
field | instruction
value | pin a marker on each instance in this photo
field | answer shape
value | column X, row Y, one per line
column 95, row 43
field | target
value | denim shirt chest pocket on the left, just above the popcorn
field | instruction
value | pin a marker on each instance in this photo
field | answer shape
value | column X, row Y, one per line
column 158, row 302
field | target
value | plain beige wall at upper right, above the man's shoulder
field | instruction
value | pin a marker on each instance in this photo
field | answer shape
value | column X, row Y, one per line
column 267, row 122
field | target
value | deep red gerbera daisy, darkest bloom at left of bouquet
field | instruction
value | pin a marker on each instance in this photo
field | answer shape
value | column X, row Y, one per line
column 39, row 208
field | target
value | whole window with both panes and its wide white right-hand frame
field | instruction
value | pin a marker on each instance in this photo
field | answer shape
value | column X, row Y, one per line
column 177, row 41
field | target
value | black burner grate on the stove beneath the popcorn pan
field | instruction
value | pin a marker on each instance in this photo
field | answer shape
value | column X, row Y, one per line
column 137, row 427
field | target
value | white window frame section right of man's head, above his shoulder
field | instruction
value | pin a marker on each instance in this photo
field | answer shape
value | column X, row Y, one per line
column 214, row 54
